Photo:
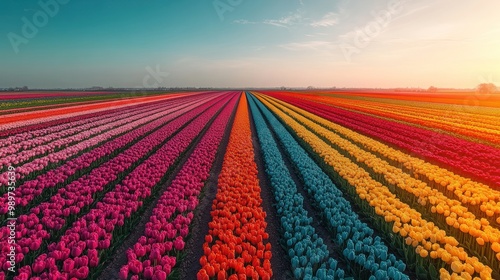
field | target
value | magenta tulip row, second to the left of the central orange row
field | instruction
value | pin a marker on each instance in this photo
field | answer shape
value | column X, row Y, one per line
column 79, row 249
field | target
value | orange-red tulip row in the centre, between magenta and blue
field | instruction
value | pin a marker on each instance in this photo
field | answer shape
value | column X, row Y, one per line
column 236, row 245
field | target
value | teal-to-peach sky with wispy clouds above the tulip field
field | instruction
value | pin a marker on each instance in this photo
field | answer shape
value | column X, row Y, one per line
column 249, row 43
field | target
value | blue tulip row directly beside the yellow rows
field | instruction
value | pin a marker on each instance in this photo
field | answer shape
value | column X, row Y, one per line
column 360, row 247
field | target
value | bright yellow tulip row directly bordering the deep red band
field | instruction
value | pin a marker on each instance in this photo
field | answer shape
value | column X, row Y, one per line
column 483, row 201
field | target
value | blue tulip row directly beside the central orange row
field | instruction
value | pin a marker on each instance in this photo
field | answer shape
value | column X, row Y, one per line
column 308, row 254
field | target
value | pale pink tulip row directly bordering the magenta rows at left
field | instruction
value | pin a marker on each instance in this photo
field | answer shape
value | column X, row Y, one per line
column 42, row 162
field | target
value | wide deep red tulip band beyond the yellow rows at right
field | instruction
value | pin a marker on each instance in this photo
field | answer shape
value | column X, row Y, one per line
column 475, row 160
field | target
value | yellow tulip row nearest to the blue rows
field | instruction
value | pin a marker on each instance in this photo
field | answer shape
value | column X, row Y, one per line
column 406, row 221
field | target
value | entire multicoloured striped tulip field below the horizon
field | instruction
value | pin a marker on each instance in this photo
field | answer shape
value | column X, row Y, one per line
column 249, row 185
